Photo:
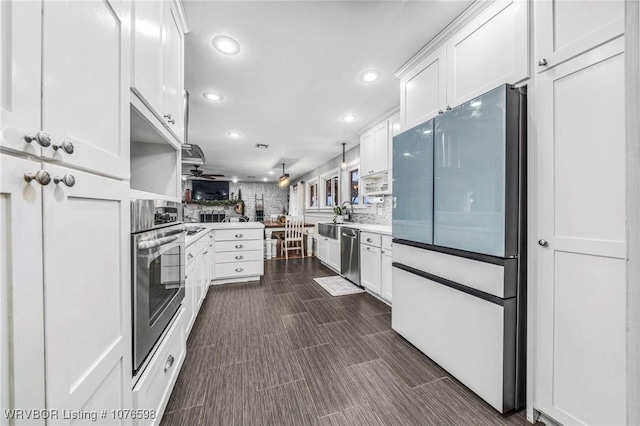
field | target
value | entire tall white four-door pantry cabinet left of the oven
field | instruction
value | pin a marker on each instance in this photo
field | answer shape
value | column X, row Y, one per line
column 64, row 196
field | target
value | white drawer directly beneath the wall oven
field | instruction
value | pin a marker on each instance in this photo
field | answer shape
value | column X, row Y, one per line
column 154, row 387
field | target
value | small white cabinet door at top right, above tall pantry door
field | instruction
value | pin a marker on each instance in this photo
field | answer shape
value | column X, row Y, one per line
column 565, row 29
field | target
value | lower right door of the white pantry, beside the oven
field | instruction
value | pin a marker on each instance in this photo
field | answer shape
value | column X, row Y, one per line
column 87, row 286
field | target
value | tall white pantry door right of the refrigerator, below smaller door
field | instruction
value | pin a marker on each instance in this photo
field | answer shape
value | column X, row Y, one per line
column 580, row 277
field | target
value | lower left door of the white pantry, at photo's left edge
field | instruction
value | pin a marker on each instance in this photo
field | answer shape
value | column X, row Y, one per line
column 22, row 339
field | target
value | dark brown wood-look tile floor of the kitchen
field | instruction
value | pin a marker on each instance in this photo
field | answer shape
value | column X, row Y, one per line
column 285, row 352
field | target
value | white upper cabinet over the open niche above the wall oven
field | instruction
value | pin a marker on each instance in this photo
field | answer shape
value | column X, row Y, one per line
column 157, row 76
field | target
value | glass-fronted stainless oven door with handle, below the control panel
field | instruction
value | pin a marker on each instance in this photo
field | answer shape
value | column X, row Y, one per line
column 158, row 285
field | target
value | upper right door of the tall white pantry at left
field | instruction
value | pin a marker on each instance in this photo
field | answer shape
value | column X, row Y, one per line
column 85, row 98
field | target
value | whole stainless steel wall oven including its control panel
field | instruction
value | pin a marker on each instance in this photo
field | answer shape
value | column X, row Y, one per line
column 157, row 269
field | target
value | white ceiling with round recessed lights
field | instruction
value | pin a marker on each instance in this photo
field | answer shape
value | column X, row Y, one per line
column 296, row 75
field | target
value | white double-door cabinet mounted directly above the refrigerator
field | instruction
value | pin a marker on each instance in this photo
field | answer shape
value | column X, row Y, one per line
column 490, row 50
